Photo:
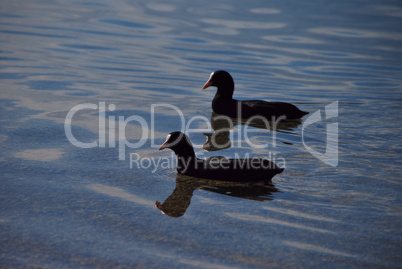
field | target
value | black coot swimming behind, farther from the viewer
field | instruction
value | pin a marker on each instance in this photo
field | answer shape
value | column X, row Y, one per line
column 224, row 104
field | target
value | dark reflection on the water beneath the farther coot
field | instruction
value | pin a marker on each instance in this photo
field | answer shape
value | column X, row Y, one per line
column 222, row 125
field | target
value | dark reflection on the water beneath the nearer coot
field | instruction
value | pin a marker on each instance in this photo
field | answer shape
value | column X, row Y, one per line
column 178, row 202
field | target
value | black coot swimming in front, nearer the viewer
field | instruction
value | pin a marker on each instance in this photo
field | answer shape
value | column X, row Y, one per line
column 218, row 167
